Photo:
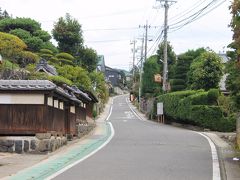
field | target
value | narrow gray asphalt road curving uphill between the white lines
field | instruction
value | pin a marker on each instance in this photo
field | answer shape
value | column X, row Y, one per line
column 142, row 150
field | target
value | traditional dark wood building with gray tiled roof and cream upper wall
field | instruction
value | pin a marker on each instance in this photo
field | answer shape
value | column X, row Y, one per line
column 39, row 106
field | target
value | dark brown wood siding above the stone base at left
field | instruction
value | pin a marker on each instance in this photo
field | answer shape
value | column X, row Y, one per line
column 31, row 119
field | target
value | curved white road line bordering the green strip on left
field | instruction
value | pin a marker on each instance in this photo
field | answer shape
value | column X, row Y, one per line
column 89, row 155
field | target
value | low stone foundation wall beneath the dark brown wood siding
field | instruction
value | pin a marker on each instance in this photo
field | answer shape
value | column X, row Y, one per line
column 41, row 143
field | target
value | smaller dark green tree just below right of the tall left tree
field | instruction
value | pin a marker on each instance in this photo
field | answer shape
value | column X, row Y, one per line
column 88, row 59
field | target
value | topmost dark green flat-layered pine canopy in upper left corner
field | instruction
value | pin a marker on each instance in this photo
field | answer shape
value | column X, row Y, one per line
column 26, row 24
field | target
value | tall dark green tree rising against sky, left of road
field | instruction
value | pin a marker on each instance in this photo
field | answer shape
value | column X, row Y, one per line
column 68, row 33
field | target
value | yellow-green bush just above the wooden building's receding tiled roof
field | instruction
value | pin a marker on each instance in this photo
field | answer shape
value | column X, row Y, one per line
column 77, row 75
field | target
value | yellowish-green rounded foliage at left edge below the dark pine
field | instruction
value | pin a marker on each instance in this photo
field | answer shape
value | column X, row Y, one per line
column 10, row 45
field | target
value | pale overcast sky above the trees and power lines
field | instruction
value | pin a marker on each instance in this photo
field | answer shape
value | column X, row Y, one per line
column 109, row 25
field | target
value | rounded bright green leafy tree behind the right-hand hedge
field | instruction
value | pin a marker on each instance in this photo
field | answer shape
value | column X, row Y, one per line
column 205, row 71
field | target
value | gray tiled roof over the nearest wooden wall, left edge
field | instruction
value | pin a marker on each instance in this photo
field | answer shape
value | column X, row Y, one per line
column 26, row 85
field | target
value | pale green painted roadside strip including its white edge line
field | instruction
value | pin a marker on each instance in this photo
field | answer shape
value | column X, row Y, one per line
column 51, row 167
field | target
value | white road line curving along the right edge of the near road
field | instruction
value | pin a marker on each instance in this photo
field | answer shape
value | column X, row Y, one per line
column 215, row 162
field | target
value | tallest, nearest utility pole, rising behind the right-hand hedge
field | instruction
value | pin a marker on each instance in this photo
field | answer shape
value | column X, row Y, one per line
column 165, row 63
